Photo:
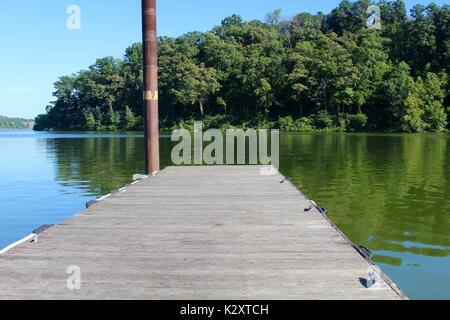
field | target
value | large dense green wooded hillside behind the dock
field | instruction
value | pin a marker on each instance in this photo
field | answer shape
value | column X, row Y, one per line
column 310, row 72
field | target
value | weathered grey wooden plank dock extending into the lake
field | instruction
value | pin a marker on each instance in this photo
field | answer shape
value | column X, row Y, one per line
column 217, row 232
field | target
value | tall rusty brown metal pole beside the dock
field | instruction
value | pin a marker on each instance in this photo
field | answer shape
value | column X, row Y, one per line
column 150, row 45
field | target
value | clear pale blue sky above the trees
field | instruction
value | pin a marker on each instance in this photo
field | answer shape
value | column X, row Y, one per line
column 37, row 47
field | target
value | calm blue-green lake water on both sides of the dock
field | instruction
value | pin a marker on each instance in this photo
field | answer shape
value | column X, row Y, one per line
column 388, row 192
